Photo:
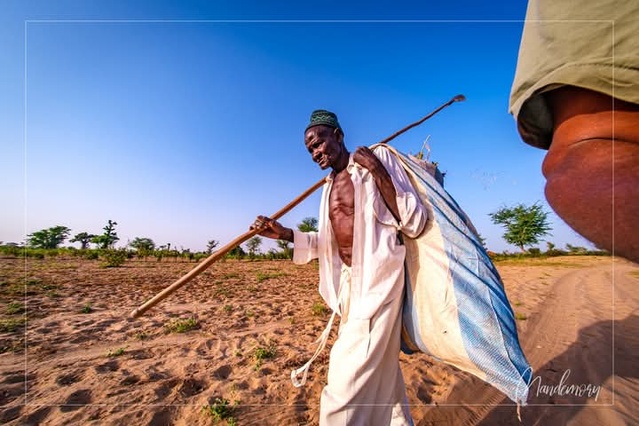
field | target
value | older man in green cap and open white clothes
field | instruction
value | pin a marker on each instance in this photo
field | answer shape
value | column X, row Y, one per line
column 368, row 202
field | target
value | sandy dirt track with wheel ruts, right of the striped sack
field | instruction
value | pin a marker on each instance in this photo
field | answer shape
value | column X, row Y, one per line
column 582, row 344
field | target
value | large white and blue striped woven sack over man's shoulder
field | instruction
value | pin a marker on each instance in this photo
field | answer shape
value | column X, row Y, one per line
column 455, row 306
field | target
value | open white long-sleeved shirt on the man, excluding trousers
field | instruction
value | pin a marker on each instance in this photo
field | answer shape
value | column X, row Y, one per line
column 378, row 256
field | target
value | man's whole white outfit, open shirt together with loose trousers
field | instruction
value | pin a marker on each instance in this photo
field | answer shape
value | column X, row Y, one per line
column 365, row 385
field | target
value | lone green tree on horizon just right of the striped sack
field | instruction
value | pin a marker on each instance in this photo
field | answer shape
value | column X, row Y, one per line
column 524, row 225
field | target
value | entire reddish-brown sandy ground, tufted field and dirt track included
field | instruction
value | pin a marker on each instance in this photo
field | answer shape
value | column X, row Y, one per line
column 79, row 359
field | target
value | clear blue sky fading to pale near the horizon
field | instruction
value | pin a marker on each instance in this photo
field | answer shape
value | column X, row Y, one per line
column 182, row 121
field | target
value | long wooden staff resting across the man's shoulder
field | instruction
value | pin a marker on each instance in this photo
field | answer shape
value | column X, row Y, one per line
column 244, row 237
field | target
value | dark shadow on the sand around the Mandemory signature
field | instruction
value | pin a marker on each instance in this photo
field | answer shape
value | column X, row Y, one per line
column 591, row 360
